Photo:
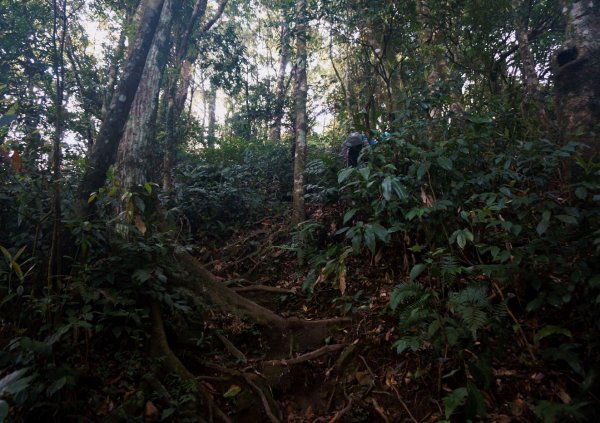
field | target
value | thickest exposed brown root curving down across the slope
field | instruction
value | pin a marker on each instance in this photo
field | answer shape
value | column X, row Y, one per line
column 294, row 331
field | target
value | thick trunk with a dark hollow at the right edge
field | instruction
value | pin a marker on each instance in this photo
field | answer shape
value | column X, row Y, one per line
column 577, row 70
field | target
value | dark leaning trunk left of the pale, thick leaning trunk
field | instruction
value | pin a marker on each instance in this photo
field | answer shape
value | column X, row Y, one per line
column 103, row 152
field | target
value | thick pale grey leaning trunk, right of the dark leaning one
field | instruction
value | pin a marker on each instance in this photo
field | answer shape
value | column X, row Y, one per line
column 135, row 158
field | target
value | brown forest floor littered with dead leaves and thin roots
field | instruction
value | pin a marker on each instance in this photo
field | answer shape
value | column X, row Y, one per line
column 356, row 375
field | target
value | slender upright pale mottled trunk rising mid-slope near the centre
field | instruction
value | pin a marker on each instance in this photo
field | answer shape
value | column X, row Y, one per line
column 298, row 211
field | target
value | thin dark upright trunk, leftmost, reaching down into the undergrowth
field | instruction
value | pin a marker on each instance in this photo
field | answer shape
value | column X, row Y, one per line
column 58, row 43
